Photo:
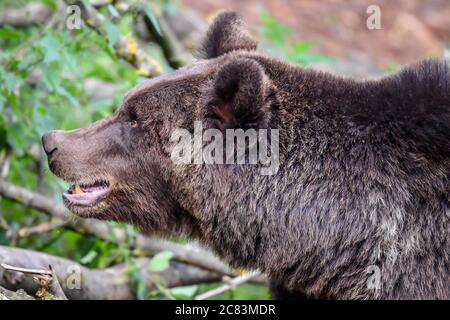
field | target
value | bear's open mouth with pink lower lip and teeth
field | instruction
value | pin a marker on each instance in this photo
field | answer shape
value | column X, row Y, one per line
column 87, row 194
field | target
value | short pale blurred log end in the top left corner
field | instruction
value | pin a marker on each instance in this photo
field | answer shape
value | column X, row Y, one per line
column 25, row 16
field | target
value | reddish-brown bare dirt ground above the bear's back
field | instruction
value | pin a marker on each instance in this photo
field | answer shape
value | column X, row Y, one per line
column 410, row 29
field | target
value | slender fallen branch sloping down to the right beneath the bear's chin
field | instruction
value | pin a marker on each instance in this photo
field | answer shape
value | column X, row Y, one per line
column 188, row 253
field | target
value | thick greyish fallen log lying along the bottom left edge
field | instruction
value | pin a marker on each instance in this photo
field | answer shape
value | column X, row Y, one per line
column 79, row 282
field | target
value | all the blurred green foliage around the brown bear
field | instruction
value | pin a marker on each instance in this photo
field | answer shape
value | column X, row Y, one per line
column 43, row 75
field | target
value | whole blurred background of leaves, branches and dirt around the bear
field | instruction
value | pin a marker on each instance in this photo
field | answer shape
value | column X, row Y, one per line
column 65, row 64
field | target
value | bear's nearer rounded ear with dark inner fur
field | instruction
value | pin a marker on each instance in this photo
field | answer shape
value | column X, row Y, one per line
column 240, row 97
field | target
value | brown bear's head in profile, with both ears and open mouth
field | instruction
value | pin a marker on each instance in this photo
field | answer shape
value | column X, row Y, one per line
column 121, row 168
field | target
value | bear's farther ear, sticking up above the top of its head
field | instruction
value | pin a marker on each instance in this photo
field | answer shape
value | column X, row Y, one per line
column 226, row 33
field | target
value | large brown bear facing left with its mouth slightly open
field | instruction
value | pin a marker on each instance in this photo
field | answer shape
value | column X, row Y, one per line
column 358, row 208
